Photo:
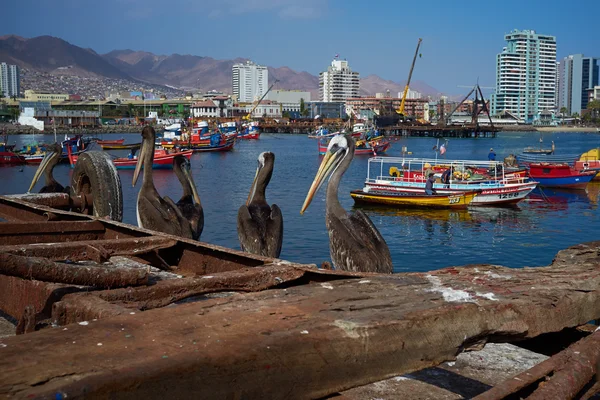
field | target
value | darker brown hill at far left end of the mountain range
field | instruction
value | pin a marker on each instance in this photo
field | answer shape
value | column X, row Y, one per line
column 47, row 54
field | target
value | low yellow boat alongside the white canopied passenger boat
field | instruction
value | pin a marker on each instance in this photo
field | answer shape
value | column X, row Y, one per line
column 459, row 200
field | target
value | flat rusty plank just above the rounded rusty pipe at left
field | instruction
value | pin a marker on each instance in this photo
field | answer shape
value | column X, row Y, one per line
column 95, row 250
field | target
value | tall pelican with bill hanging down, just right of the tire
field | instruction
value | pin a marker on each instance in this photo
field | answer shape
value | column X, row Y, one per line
column 153, row 211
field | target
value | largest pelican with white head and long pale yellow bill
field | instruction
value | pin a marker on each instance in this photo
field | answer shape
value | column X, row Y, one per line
column 355, row 244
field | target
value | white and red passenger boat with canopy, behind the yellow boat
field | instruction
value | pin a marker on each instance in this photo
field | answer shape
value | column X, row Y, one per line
column 497, row 186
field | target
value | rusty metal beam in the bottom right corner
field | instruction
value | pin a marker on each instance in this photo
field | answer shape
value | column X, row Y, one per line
column 562, row 376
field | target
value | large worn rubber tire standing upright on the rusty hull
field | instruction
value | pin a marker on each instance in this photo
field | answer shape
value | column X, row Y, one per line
column 96, row 174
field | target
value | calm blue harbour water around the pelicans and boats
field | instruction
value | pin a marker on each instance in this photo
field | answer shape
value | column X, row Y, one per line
column 529, row 235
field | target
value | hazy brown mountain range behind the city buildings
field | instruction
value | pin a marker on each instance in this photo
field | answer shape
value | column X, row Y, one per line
column 54, row 55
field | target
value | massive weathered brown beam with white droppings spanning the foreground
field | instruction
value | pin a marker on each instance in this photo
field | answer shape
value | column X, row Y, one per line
column 304, row 341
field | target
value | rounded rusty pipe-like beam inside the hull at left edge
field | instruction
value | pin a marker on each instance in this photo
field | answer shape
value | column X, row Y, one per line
column 75, row 274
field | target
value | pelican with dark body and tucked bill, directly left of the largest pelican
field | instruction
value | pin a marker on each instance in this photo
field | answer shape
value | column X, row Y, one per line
column 260, row 226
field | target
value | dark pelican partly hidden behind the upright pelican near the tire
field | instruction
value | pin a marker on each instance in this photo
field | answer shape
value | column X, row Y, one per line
column 189, row 204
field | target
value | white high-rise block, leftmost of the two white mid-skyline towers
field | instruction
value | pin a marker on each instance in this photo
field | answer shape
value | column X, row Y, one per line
column 249, row 81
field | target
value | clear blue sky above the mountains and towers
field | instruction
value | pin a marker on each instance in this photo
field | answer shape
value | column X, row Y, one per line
column 460, row 39
